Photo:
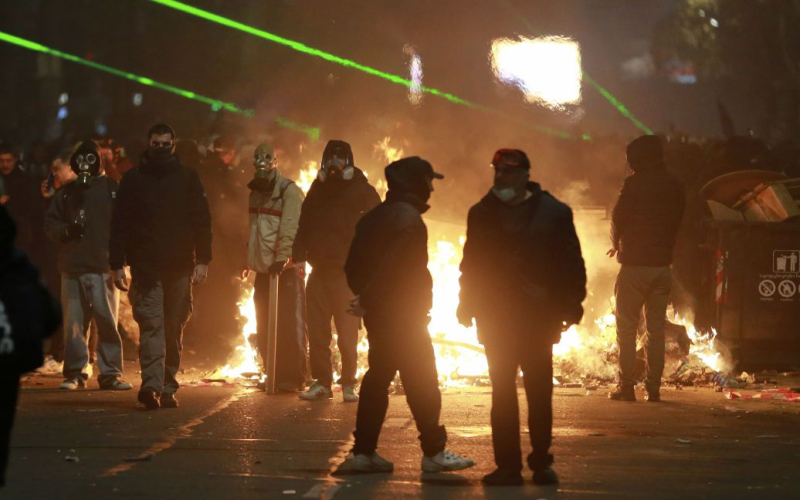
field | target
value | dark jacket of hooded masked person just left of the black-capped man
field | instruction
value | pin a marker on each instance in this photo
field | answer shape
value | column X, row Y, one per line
column 328, row 220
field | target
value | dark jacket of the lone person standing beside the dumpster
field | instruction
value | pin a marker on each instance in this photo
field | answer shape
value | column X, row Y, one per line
column 646, row 219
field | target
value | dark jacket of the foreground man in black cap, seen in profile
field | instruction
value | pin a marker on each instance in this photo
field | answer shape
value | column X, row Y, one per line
column 387, row 266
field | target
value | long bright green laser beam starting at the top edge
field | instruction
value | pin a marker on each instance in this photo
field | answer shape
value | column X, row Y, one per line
column 300, row 47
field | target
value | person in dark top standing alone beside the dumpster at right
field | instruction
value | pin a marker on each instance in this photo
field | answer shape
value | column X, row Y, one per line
column 644, row 225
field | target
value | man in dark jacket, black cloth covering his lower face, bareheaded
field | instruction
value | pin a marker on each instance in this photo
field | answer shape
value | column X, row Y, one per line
column 161, row 228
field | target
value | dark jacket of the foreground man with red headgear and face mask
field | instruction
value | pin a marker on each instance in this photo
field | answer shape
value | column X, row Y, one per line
column 522, row 265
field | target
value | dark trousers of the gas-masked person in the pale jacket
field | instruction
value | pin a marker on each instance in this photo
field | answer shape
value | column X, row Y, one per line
column 291, row 361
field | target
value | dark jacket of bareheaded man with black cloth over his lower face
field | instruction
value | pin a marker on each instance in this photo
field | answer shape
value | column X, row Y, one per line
column 161, row 222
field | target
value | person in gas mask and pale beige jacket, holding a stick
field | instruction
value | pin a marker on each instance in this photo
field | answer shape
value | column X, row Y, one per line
column 275, row 203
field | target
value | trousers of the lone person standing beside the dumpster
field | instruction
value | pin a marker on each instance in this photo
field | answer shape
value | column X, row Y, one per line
column 638, row 288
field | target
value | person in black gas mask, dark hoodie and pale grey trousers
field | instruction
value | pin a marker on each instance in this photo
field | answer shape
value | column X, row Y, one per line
column 79, row 221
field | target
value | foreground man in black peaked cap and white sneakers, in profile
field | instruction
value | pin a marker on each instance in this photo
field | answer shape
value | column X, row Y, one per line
column 387, row 270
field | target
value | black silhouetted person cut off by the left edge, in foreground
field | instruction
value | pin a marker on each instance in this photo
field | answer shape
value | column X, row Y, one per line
column 28, row 315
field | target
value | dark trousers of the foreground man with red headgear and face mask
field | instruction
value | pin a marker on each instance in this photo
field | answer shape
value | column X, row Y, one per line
column 505, row 358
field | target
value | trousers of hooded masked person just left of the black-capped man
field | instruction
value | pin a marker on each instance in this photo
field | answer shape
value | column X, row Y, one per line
column 328, row 297
